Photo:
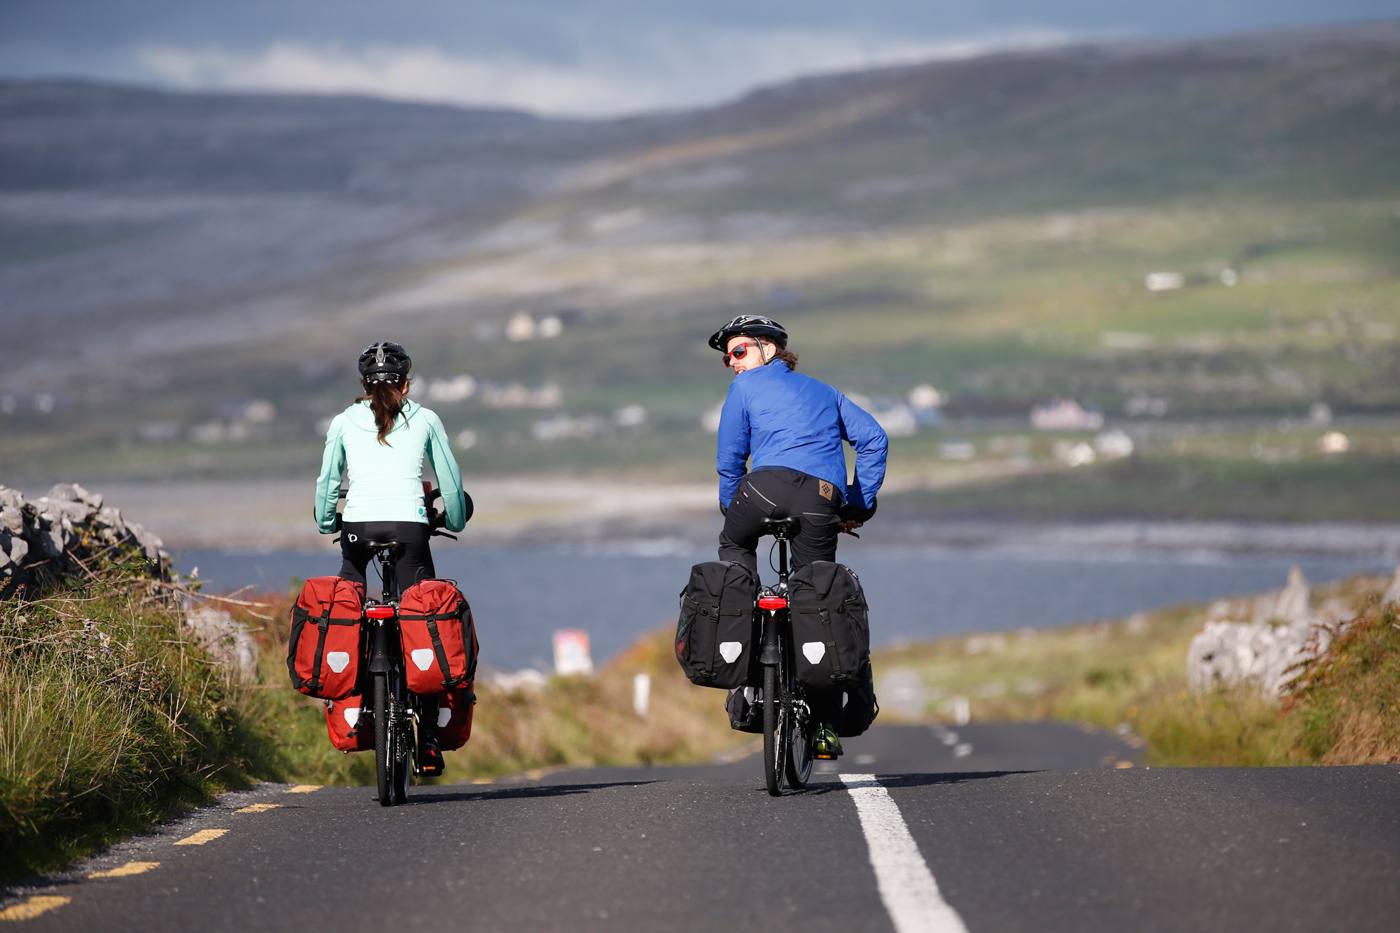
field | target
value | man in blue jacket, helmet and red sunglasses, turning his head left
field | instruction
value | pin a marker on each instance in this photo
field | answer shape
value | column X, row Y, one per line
column 780, row 453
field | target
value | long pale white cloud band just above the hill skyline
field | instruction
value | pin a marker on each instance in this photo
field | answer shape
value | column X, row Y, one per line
column 645, row 74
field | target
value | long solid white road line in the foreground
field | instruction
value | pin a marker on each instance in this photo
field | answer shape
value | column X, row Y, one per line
column 906, row 886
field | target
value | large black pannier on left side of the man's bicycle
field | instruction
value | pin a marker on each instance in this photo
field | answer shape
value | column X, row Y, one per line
column 717, row 634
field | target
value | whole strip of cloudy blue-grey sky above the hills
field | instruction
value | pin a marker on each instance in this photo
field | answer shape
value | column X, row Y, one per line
column 575, row 57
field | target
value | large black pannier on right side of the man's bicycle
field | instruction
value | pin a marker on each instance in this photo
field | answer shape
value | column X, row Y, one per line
column 831, row 624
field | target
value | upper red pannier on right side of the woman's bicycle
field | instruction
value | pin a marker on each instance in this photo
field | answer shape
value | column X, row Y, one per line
column 439, row 637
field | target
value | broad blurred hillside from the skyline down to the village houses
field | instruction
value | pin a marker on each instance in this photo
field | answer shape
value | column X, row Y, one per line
column 989, row 222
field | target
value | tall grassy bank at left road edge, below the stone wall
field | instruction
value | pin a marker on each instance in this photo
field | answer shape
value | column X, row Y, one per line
column 111, row 718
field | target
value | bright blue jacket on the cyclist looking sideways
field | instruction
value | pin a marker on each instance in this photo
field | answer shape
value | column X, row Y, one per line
column 778, row 418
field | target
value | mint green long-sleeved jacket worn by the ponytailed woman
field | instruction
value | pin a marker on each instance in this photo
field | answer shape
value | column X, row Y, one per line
column 387, row 481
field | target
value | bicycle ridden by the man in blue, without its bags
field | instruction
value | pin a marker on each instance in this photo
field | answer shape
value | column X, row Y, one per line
column 789, row 728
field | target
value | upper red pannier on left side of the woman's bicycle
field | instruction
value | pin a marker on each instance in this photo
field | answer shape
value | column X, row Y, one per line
column 324, row 649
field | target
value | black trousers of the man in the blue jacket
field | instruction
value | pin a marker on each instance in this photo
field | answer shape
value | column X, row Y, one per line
column 782, row 494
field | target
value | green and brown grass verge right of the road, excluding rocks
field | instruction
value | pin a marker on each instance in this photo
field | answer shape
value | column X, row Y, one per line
column 1132, row 676
